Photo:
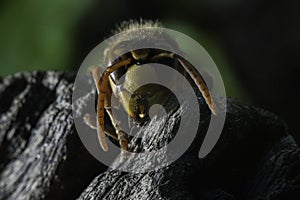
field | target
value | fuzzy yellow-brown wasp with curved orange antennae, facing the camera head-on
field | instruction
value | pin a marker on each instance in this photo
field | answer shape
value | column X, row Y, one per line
column 121, row 64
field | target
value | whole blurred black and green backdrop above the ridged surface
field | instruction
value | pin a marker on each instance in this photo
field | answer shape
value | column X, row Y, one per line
column 254, row 43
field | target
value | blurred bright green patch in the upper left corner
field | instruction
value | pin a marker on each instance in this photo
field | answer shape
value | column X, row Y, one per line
column 37, row 35
